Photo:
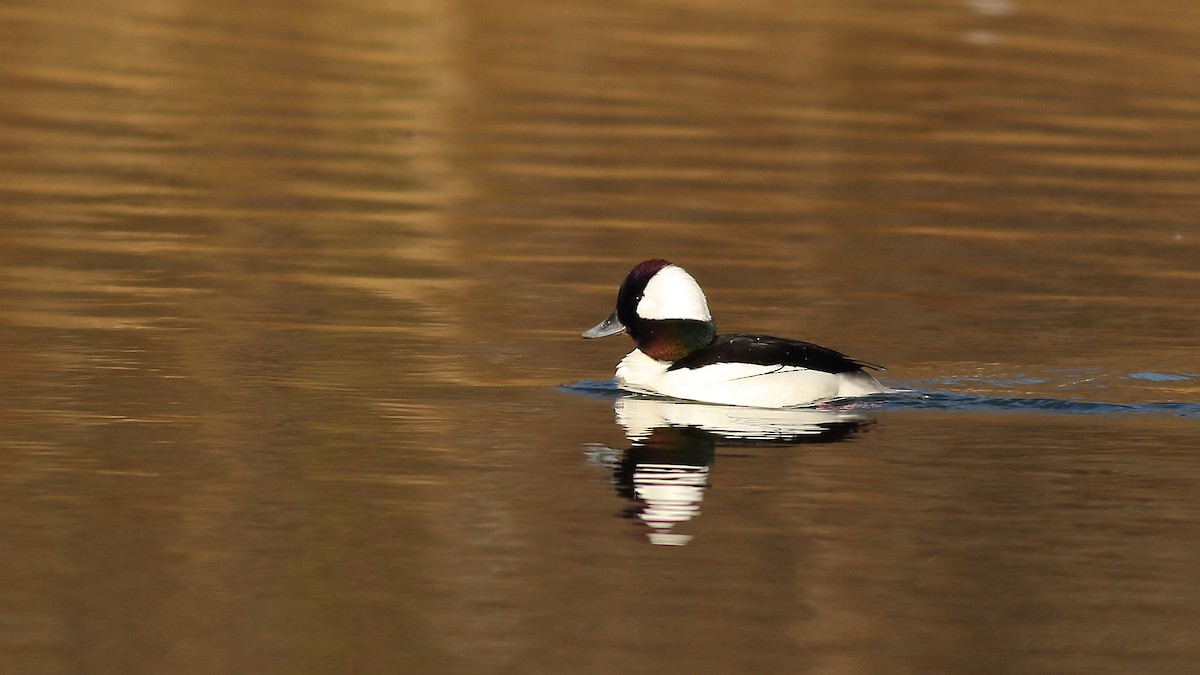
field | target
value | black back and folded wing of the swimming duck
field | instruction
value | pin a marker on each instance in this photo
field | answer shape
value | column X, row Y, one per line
column 765, row 350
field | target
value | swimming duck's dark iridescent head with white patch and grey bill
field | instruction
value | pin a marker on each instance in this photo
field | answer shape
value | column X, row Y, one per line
column 663, row 309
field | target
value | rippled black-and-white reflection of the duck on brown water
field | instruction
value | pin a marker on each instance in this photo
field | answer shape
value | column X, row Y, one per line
column 665, row 471
